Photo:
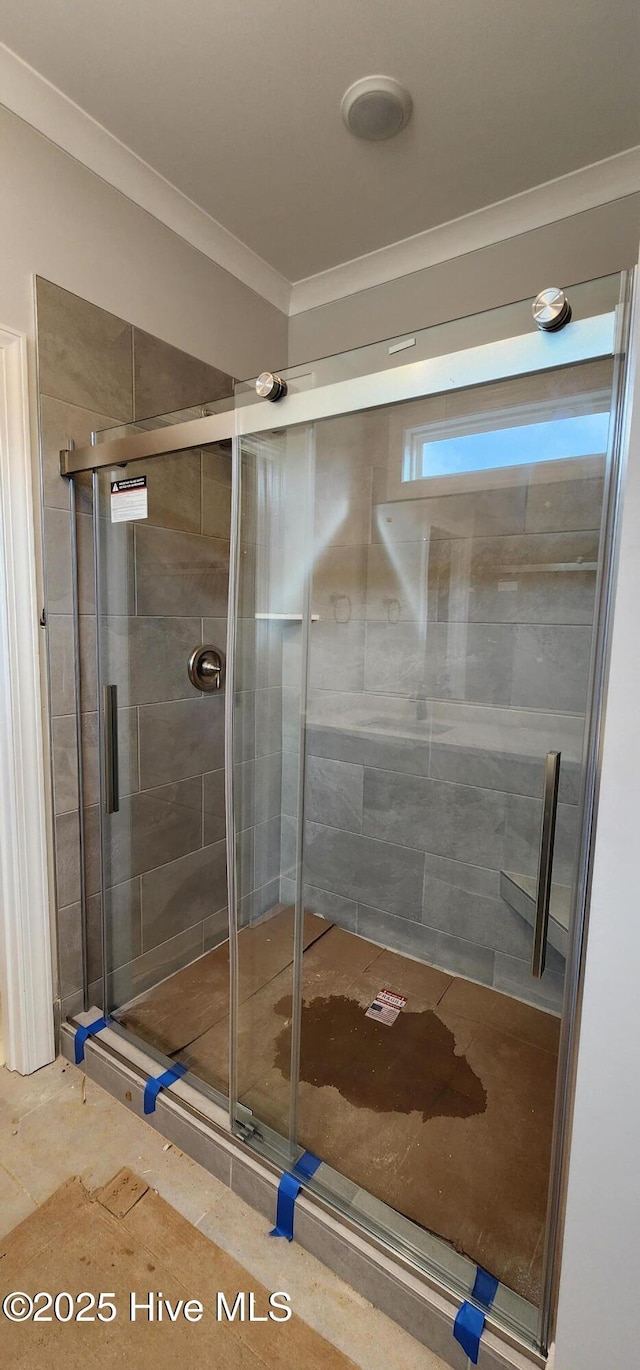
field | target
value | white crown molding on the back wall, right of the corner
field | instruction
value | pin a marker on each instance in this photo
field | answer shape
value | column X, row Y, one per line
column 583, row 190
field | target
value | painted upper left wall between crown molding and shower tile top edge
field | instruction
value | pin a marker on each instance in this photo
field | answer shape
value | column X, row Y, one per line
column 64, row 223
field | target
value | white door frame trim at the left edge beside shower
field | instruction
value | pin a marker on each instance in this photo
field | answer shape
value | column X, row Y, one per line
column 27, row 979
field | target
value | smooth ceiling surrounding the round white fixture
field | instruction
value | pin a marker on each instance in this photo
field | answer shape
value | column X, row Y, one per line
column 238, row 105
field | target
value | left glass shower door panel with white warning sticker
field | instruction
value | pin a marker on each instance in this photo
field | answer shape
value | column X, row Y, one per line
column 162, row 558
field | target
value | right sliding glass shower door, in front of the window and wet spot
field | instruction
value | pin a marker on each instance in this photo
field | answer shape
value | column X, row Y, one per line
column 436, row 669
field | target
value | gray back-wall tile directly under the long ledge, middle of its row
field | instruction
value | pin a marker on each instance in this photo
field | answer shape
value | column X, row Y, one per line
column 457, row 821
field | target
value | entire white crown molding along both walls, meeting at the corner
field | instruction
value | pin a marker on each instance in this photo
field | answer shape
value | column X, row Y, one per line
column 27, row 94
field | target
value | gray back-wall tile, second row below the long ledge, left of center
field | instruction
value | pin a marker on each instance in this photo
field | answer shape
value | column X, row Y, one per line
column 358, row 868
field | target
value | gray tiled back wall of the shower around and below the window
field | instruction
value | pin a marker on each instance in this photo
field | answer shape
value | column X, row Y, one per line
column 452, row 654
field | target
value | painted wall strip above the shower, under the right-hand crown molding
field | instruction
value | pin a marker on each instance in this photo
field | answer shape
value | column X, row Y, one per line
column 574, row 250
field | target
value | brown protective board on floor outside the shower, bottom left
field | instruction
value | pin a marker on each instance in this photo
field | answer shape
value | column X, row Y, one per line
column 128, row 1239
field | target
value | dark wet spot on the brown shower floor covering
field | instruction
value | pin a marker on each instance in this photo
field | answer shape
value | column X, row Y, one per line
column 410, row 1067
